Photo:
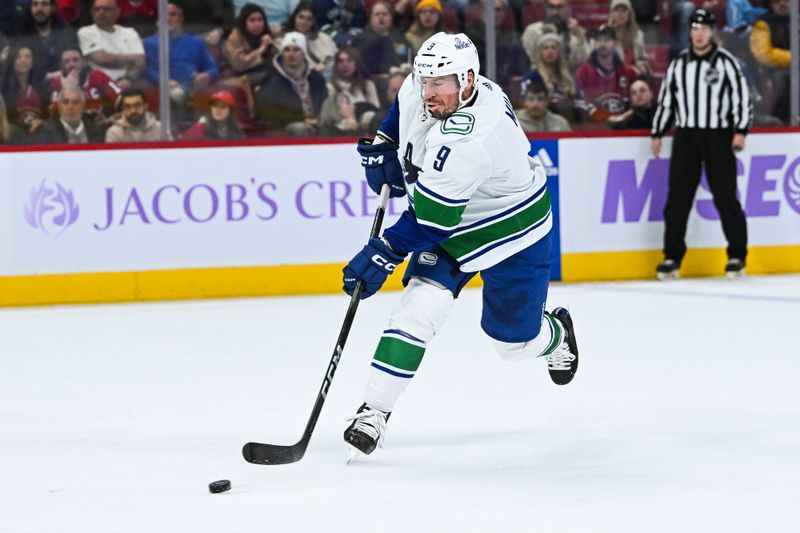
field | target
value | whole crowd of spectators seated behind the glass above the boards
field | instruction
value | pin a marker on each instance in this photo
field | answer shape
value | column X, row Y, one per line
column 76, row 71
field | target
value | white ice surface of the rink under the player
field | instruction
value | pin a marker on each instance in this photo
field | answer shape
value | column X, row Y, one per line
column 684, row 417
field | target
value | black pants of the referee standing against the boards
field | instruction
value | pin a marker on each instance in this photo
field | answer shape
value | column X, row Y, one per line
column 690, row 149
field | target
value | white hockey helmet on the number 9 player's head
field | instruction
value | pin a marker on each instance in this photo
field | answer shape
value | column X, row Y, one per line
column 445, row 54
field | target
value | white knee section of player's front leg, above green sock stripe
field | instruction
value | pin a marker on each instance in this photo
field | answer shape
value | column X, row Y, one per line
column 422, row 309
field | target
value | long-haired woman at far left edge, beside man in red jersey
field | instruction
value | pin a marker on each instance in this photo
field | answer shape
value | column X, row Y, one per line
column 22, row 88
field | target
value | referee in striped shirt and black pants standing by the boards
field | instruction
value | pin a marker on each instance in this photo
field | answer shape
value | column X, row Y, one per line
column 705, row 93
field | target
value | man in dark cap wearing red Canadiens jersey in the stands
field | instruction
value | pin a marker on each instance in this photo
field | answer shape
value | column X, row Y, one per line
column 604, row 79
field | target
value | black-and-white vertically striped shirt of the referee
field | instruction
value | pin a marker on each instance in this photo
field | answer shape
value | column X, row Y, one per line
column 708, row 92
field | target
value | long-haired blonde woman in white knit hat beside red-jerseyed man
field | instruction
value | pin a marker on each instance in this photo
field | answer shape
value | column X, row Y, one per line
column 550, row 66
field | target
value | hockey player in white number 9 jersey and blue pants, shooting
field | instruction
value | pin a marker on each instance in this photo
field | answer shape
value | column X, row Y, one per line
column 477, row 203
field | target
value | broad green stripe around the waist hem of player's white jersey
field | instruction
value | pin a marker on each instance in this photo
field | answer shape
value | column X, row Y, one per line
column 465, row 243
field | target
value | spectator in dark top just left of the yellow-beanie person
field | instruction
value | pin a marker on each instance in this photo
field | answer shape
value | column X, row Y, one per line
column 380, row 44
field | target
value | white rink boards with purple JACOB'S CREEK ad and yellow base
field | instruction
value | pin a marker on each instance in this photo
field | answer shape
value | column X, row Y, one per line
column 152, row 222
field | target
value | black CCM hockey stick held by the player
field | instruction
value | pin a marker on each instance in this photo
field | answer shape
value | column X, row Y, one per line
column 274, row 454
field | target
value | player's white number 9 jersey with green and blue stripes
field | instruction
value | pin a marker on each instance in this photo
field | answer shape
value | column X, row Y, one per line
column 474, row 179
